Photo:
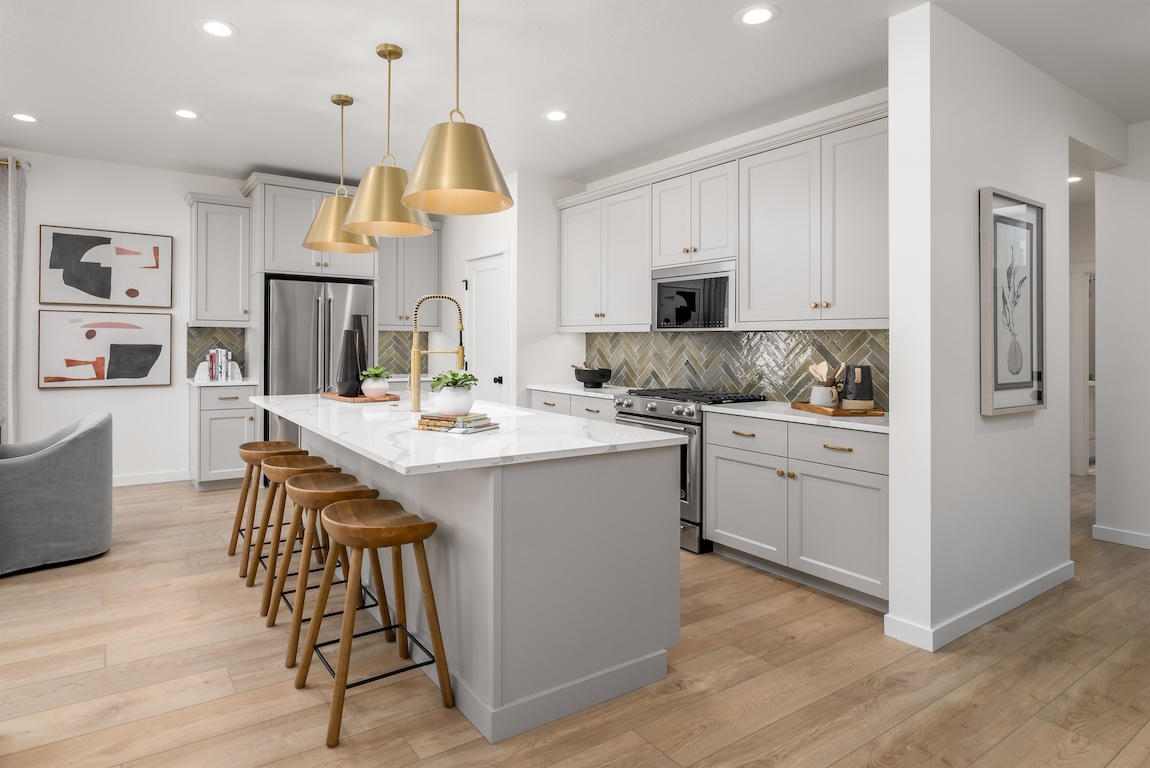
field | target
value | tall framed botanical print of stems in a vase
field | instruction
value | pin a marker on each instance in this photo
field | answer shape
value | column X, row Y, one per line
column 1013, row 295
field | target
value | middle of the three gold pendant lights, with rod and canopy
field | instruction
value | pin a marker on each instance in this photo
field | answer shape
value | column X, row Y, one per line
column 378, row 209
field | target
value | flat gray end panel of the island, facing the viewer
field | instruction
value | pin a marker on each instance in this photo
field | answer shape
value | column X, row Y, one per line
column 589, row 577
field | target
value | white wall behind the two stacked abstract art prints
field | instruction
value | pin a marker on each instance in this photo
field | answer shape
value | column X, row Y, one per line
column 150, row 424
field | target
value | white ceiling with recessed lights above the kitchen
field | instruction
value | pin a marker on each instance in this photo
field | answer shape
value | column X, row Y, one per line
column 642, row 79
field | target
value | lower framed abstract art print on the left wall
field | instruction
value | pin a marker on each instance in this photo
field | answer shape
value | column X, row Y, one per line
column 89, row 349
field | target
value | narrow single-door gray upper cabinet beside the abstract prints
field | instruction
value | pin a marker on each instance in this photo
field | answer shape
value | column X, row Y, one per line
column 221, row 260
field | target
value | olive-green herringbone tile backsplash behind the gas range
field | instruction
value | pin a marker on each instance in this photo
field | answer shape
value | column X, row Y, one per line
column 773, row 364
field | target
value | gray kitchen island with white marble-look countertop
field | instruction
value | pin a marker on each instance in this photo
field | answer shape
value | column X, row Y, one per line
column 556, row 560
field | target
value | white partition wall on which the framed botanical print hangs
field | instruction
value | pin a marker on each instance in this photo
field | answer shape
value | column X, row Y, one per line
column 979, row 518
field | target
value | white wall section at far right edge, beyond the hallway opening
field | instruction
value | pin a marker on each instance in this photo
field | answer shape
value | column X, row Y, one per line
column 1123, row 266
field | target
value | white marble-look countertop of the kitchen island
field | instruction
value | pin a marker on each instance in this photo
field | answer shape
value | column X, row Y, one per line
column 386, row 434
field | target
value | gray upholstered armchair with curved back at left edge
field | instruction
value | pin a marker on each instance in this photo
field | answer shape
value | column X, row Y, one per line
column 56, row 496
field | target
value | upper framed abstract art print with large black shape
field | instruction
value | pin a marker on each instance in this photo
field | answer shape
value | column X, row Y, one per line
column 91, row 267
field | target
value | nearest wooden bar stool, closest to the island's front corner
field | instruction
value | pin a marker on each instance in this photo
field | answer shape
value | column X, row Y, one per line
column 355, row 527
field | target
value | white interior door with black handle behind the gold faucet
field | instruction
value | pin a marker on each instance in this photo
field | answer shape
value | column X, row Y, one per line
column 488, row 328
